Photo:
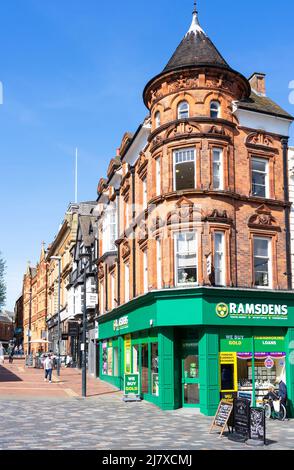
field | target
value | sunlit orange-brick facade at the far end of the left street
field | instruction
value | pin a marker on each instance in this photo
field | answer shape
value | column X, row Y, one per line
column 35, row 307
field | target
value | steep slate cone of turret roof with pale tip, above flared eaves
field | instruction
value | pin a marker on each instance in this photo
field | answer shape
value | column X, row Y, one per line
column 196, row 49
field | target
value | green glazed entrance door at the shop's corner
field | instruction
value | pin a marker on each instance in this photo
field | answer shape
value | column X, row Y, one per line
column 190, row 374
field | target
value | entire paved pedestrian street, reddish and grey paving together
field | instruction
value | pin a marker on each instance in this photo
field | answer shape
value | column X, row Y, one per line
column 39, row 415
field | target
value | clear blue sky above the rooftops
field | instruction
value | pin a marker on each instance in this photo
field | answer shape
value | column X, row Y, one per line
column 73, row 73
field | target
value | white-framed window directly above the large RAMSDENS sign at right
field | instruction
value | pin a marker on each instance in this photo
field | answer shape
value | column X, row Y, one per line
column 262, row 262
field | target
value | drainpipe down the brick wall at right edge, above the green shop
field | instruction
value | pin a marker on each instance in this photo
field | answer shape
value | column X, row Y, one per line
column 287, row 212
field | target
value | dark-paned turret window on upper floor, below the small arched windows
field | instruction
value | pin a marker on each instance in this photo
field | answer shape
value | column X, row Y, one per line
column 184, row 169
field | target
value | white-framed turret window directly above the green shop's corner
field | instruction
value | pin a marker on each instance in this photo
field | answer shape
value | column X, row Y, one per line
column 186, row 258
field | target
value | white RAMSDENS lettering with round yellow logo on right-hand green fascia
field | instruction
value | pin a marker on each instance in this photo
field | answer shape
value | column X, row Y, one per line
column 247, row 310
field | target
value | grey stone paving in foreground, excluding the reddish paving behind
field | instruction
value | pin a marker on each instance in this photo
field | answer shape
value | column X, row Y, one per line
column 109, row 423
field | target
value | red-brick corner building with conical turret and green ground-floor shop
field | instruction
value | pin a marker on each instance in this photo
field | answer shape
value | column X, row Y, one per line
column 194, row 261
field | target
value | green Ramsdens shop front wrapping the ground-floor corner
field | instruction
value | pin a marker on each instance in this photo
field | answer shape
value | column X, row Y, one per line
column 192, row 347
